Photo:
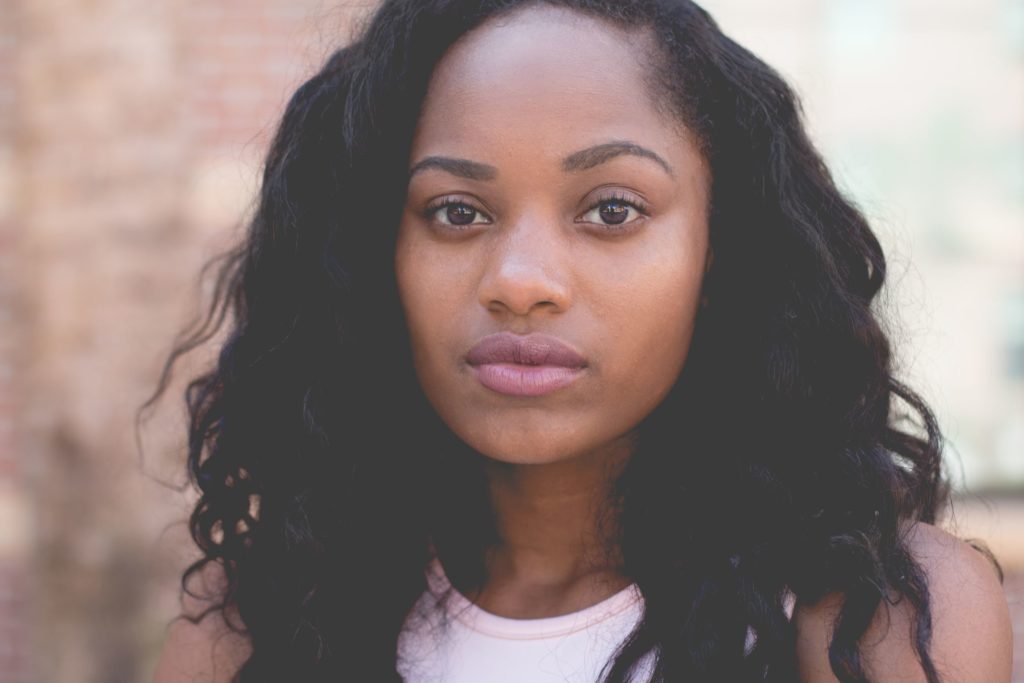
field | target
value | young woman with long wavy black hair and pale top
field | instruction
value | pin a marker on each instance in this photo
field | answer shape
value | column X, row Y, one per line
column 552, row 358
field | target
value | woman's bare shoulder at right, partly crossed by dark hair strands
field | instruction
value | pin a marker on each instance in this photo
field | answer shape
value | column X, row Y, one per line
column 972, row 642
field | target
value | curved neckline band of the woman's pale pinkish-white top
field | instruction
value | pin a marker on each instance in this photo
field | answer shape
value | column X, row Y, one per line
column 477, row 619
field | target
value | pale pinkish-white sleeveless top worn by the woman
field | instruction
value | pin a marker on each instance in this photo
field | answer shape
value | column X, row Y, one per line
column 454, row 642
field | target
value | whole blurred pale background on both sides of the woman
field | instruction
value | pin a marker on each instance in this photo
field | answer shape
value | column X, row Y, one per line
column 131, row 142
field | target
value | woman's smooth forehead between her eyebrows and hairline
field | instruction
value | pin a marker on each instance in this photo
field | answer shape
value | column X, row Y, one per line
column 542, row 78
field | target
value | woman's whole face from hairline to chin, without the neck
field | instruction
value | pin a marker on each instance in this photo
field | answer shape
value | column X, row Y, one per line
column 577, row 211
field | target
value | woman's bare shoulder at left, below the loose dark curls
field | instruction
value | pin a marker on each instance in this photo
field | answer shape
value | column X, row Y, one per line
column 208, row 652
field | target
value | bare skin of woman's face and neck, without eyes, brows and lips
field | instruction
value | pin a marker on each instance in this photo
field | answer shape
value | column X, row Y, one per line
column 523, row 96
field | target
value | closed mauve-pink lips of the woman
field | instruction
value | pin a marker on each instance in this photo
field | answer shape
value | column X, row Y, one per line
column 530, row 366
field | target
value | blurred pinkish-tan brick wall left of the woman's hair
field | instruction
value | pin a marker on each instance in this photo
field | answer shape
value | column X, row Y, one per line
column 131, row 136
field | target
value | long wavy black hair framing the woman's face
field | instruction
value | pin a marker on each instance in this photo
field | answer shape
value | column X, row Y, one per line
column 326, row 476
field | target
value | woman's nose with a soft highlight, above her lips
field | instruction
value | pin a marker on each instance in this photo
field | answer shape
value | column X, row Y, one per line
column 527, row 270
